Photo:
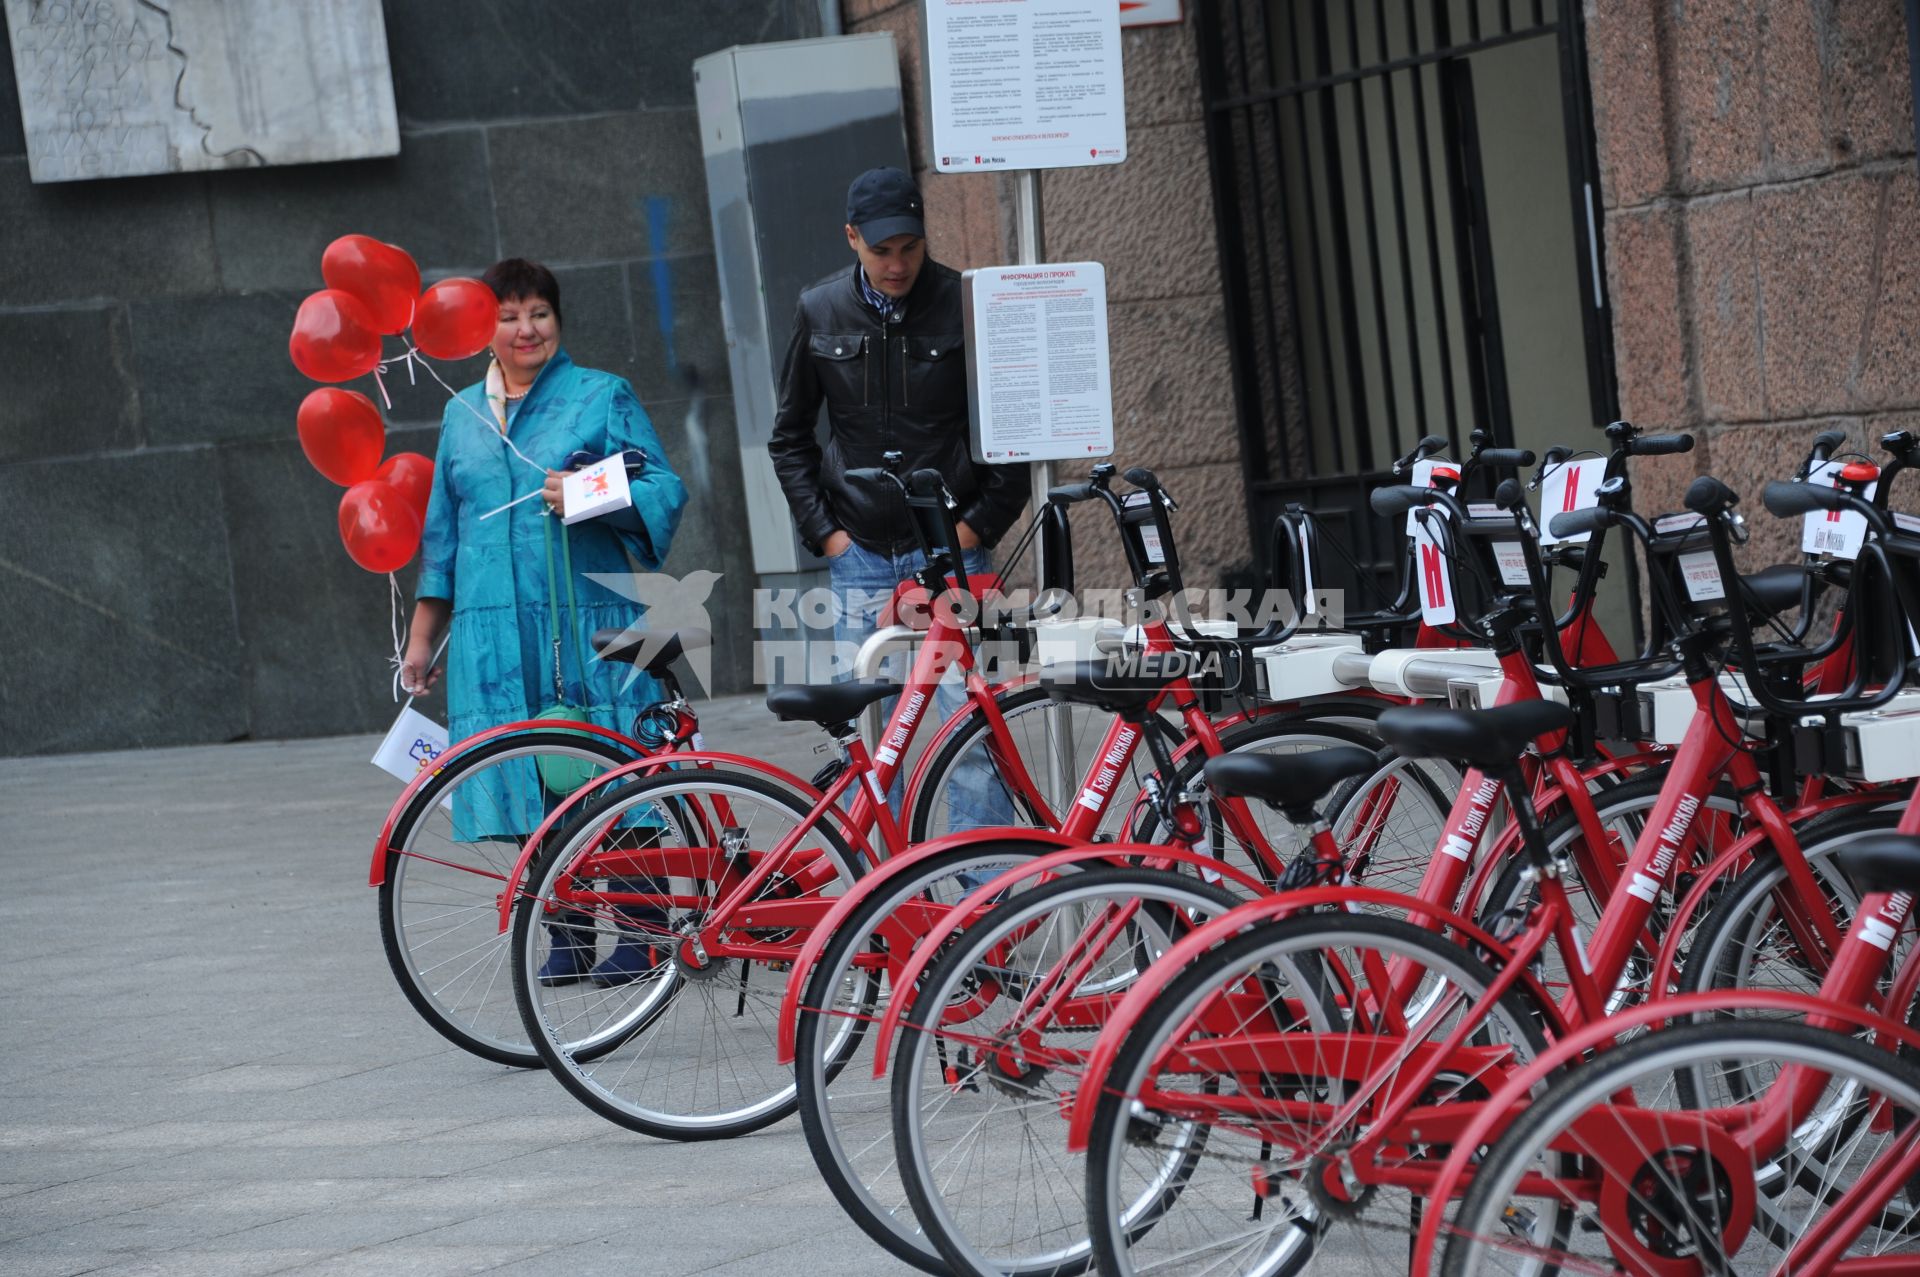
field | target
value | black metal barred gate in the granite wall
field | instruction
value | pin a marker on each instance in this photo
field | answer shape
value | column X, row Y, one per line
column 1355, row 241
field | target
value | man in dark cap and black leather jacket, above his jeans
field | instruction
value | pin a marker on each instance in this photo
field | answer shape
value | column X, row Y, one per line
column 882, row 347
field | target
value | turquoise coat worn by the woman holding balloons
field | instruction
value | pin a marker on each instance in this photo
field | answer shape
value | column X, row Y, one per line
column 494, row 569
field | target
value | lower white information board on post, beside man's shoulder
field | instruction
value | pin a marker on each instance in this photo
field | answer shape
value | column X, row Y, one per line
column 1042, row 387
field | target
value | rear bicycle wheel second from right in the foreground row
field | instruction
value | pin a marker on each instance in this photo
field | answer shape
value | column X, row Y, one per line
column 1266, row 1067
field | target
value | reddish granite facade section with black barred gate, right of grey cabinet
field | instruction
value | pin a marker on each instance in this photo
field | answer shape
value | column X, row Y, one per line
column 1349, row 226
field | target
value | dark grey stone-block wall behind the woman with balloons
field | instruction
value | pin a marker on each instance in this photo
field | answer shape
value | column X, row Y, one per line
column 170, row 562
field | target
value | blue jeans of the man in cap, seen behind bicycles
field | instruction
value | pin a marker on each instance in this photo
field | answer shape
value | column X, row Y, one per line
column 863, row 583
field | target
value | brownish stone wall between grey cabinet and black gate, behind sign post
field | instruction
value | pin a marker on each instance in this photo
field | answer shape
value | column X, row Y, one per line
column 1151, row 224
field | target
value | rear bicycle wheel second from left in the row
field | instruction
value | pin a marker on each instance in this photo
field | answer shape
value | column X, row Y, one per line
column 679, row 1040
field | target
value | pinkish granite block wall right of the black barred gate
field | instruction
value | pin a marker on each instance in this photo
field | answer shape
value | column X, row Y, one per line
column 1758, row 162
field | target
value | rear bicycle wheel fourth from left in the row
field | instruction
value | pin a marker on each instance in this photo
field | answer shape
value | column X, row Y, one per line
column 980, row 1103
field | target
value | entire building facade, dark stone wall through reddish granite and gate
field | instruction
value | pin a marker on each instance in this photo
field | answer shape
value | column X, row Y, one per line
column 1341, row 228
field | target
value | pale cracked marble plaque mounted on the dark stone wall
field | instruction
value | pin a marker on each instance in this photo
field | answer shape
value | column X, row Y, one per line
column 126, row 87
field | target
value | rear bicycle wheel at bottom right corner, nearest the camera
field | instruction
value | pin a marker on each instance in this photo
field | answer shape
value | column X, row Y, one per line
column 1660, row 1184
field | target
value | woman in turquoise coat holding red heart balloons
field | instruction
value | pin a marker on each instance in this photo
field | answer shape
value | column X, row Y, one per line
column 485, row 556
